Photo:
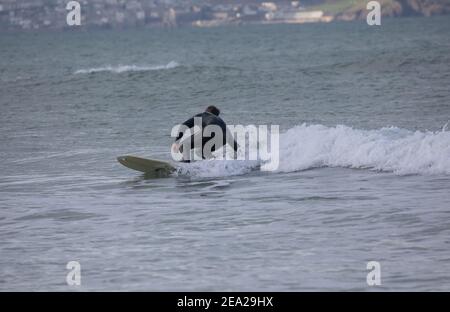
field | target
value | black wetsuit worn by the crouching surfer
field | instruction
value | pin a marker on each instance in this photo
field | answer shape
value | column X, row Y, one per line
column 208, row 119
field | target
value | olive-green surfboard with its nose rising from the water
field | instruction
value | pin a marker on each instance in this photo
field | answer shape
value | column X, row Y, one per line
column 151, row 167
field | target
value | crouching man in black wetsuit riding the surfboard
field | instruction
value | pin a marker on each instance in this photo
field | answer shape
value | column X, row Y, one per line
column 210, row 117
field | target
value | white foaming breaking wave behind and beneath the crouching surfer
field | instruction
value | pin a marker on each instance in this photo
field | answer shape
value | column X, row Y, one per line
column 388, row 149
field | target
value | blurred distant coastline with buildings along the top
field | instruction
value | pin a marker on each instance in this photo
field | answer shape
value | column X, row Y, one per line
column 40, row 14
